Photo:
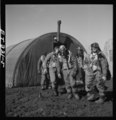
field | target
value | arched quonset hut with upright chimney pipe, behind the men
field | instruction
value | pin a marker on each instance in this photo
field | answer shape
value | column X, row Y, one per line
column 22, row 58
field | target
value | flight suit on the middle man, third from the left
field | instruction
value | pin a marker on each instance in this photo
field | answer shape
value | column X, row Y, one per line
column 69, row 69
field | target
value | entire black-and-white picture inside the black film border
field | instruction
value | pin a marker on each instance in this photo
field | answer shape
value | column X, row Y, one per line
column 59, row 60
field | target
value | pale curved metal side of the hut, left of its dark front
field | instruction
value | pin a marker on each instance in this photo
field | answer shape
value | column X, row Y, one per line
column 11, row 60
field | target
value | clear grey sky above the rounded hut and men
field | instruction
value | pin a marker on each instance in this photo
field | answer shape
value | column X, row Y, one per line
column 87, row 23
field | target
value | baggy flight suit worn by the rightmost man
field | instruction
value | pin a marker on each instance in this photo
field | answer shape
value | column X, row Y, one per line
column 99, row 68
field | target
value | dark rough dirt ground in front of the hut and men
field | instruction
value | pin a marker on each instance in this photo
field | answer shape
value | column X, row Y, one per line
column 27, row 102
